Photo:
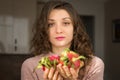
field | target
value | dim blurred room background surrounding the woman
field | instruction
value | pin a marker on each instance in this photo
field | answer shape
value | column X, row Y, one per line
column 17, row 17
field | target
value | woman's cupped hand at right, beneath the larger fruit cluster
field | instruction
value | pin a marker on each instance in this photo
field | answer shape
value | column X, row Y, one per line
column 68, row 73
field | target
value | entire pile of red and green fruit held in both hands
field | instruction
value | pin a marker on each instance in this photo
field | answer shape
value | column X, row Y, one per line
column 67, row 57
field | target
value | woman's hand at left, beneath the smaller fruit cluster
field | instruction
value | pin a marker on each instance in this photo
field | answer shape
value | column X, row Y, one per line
column 52, row 74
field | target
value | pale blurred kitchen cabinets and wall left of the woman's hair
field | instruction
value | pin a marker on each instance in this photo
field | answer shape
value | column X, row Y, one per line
column 16, row 19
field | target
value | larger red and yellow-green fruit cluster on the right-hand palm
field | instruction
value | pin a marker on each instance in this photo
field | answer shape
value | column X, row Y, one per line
column 71, row 59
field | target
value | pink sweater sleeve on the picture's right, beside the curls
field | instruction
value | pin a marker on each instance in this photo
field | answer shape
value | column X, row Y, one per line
column 96, row 70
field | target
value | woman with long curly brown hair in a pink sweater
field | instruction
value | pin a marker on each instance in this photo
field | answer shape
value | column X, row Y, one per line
column 59, row 27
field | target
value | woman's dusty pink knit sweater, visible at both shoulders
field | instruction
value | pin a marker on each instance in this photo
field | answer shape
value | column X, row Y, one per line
column 95, row 71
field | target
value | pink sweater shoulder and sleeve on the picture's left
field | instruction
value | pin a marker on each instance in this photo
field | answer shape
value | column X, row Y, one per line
column 28, row 67
